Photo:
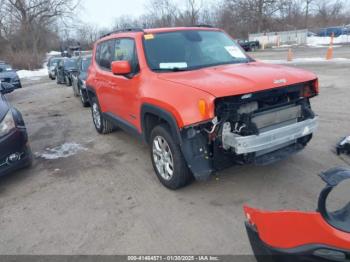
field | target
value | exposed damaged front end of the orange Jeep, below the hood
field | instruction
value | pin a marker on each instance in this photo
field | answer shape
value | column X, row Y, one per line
column 257, row 128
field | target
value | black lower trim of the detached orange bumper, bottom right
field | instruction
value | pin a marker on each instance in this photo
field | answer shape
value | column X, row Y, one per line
column 310, row 253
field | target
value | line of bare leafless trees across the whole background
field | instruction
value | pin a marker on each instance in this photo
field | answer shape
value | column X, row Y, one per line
column 32, row 27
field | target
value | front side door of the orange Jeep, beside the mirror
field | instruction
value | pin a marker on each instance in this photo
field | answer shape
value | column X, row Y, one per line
column 125, row 88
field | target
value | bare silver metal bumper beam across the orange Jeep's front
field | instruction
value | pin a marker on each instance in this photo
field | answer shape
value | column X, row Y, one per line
column 270, row 139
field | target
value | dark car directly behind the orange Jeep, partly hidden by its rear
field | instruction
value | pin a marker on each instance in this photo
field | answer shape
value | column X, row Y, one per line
column 79, row 85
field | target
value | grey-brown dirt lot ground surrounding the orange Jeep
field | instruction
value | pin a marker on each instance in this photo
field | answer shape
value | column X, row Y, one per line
column 106, row 199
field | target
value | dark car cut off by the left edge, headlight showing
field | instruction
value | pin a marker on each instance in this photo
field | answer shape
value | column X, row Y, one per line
column 15, row 152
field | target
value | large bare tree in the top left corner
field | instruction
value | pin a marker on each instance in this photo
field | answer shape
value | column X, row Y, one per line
column 30, row 21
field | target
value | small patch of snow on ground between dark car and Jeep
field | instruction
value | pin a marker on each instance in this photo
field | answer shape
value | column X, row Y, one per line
column 63, row 151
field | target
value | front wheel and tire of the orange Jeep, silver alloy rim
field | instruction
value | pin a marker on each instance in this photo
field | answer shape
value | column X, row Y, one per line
column 168, row 157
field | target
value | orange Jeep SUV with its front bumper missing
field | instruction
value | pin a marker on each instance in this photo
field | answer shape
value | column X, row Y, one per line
column 198, row 100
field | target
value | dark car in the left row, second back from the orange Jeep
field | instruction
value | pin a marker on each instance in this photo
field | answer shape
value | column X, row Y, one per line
column 64, row 70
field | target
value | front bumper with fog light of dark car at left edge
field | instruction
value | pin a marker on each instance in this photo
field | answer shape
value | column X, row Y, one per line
column 16, row 143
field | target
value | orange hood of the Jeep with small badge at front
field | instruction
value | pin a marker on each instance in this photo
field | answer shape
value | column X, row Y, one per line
column 237, row 79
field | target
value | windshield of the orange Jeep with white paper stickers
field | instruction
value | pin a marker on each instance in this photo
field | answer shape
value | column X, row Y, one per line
column 193, row 49
